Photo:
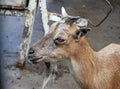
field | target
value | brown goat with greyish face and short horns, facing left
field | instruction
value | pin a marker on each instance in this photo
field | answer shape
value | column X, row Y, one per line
column 90, row 69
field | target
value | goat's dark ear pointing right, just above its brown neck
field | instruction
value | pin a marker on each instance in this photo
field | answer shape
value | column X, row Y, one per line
column 81, row 32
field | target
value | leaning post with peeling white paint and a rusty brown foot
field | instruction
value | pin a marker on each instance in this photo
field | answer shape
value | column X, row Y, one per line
column 27, row 33
